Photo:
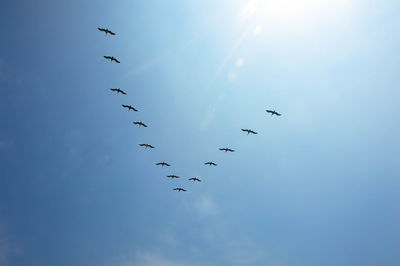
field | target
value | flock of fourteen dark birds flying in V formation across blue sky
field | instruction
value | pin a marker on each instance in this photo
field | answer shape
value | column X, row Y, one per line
column 141, row 124
